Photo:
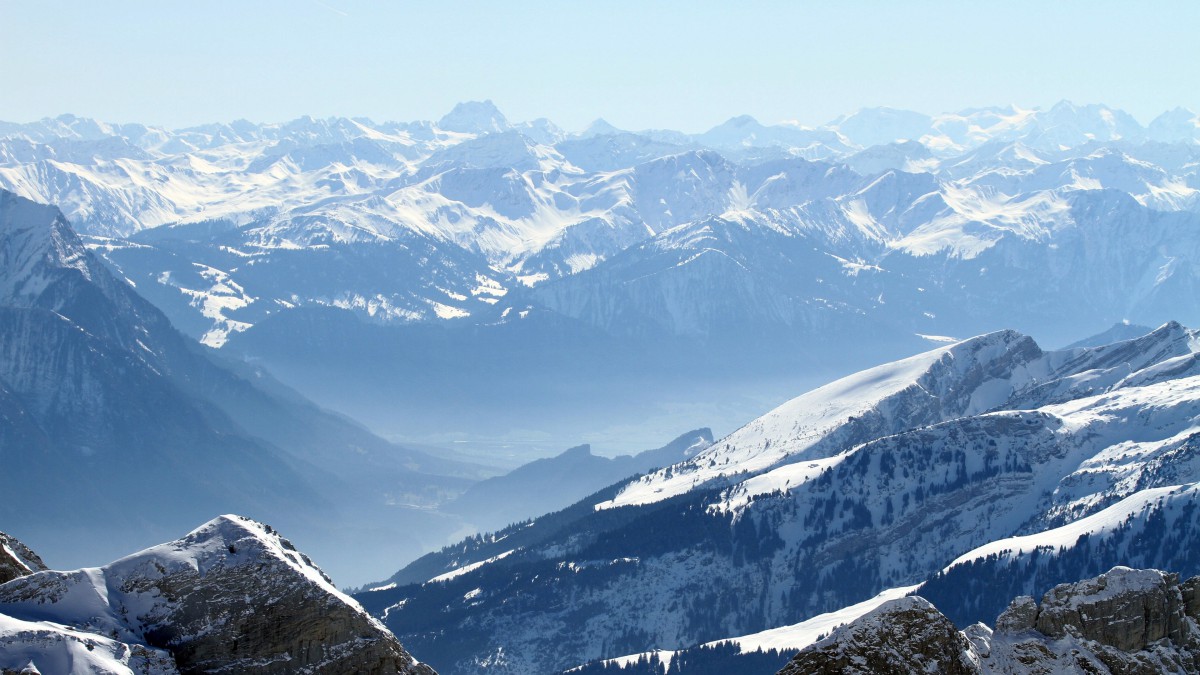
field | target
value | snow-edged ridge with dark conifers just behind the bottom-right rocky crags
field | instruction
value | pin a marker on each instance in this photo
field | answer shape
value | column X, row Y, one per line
column 1147, row 530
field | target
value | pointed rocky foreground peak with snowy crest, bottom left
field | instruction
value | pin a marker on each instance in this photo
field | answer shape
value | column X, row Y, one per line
column 230, row 598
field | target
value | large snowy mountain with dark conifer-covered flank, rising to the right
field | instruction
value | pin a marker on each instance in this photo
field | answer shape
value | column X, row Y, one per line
column 875, row 482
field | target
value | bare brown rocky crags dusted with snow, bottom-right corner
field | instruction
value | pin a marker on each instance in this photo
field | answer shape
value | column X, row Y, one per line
column 1125, row 623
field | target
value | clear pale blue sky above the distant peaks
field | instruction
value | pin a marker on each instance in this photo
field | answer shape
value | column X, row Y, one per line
column 639, row 65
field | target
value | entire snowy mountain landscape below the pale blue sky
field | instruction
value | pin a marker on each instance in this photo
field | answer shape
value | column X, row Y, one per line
column 919, row 355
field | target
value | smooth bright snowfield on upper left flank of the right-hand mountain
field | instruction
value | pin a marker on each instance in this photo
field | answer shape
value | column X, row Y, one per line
column 979, row 375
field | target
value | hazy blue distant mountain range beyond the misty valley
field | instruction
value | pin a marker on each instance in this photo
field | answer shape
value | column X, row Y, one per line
column 386, row 270
